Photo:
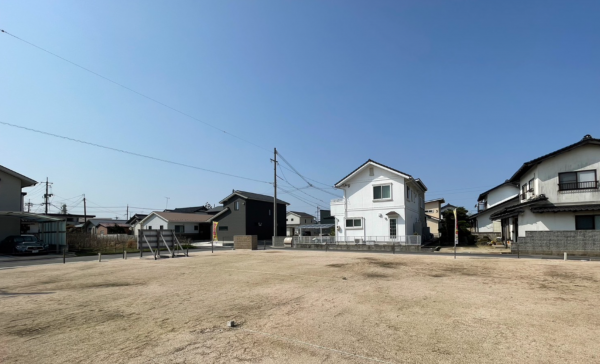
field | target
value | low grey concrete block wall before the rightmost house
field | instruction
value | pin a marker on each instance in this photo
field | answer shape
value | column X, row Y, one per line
column 576, row 242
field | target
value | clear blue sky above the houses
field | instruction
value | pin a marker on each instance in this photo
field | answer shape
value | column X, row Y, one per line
column 457, row 93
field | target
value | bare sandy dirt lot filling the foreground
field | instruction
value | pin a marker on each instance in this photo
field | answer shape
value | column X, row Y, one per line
column 393, row 308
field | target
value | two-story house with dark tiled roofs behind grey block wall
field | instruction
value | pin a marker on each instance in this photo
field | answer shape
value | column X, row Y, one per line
column 557, row 192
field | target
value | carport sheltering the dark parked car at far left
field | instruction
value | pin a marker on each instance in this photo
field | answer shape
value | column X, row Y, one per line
column 53, row 230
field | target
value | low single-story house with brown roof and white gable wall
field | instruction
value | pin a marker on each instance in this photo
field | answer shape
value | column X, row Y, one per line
column 192, row 225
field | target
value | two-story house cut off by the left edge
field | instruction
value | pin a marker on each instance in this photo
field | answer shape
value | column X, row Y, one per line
column 11, row 200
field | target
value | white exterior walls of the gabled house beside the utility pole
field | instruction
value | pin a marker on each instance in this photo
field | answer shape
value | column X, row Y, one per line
column 360, row 204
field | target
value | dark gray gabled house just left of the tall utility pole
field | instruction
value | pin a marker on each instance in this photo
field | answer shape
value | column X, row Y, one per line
column 247, row 213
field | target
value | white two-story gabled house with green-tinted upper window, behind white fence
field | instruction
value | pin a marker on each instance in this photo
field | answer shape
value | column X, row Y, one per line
column 380, row 203
